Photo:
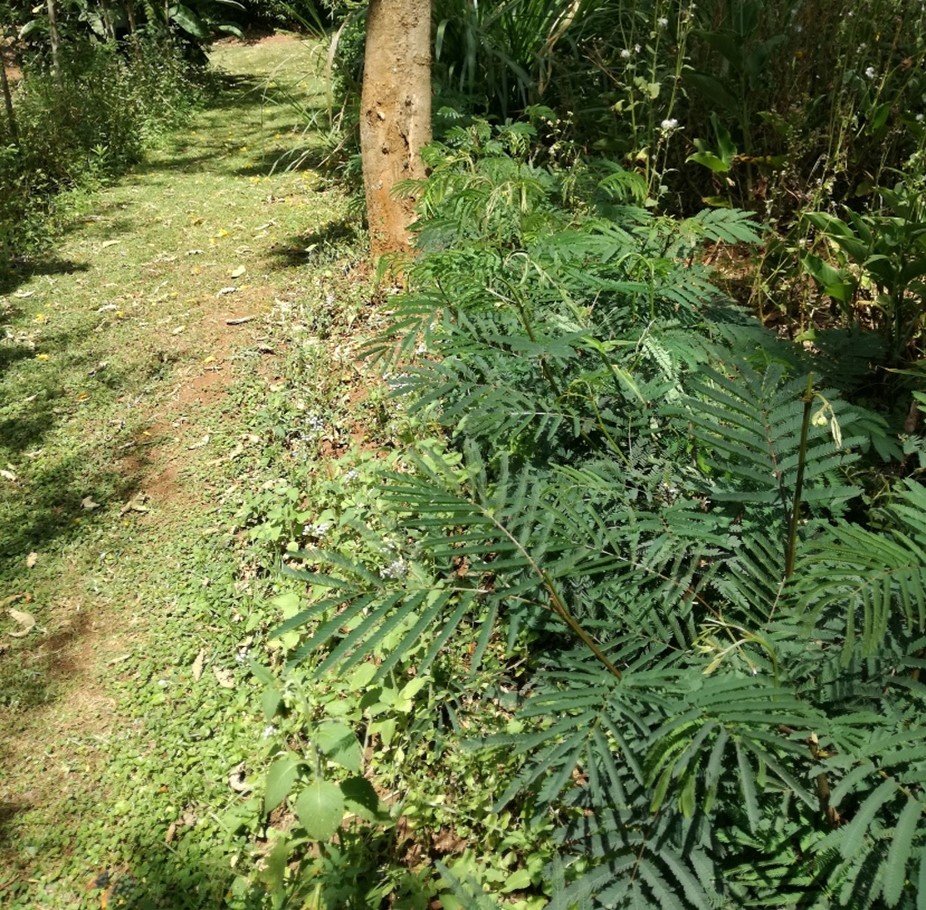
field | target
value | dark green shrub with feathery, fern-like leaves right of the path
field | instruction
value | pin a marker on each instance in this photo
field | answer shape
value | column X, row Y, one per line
column 633, row 560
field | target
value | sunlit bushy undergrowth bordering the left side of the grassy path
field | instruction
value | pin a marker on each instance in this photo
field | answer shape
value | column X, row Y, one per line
column 67, row 137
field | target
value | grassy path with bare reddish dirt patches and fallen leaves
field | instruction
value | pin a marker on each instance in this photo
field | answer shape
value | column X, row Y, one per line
column 127, row 395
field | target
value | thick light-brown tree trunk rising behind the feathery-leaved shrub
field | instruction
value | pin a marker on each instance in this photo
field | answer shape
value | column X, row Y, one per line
column 395, row 119
